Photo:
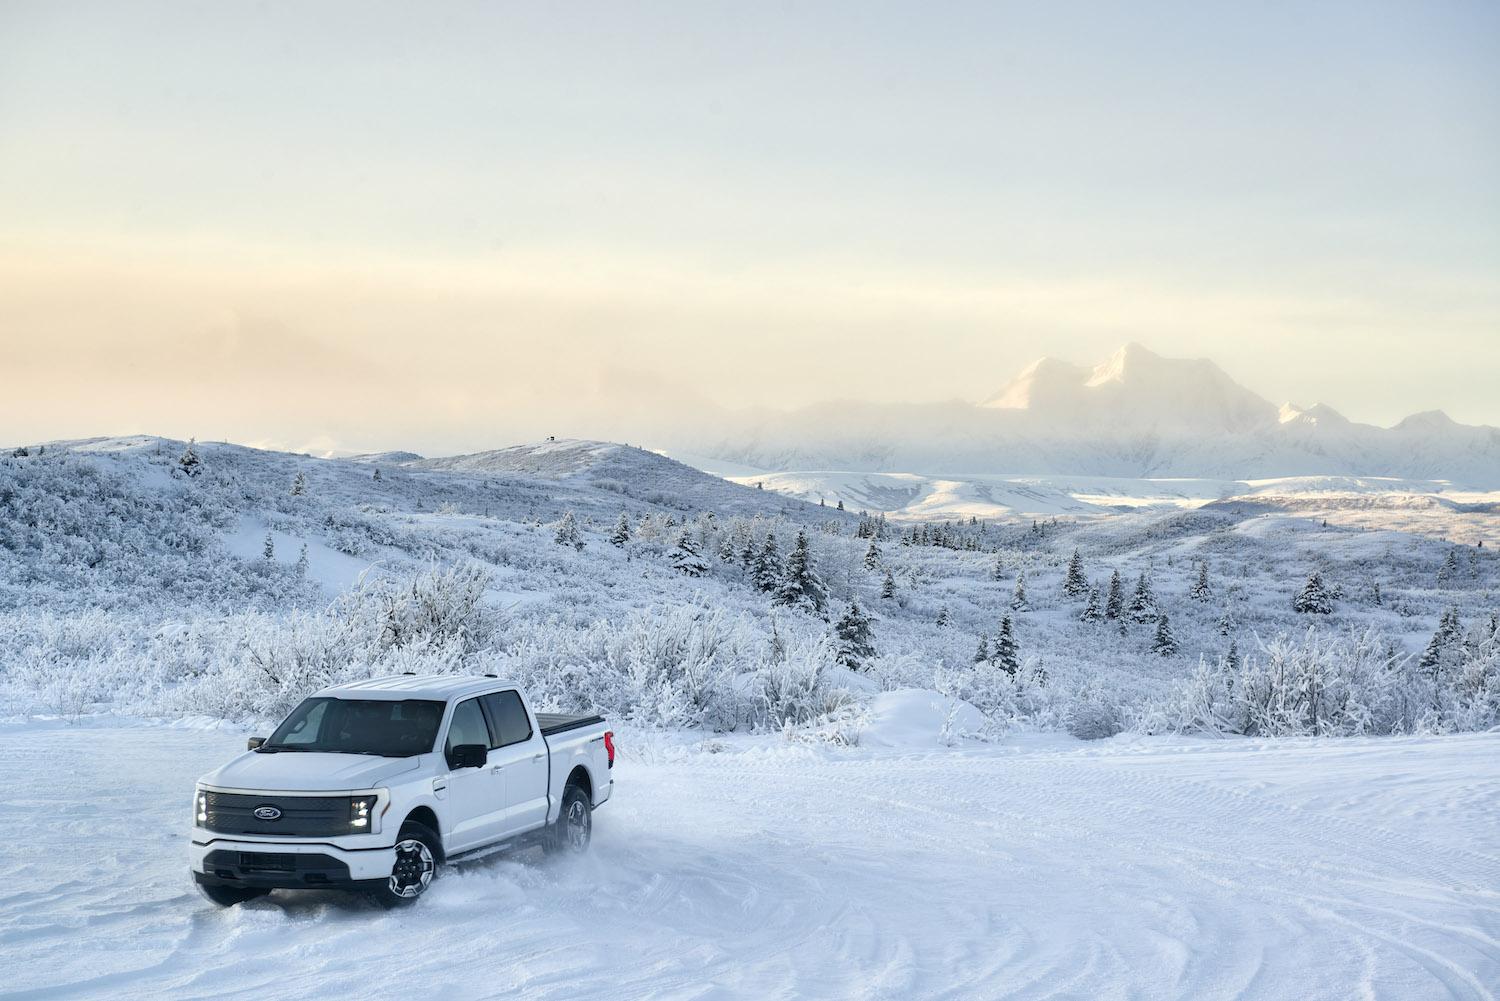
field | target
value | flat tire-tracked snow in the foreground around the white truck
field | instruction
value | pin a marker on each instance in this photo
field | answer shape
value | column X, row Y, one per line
column 761, row 868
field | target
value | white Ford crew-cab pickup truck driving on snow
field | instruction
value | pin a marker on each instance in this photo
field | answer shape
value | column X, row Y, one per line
column 373, row 786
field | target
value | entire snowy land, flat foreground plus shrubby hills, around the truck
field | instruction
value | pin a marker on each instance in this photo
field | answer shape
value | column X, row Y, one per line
column 1223, row 747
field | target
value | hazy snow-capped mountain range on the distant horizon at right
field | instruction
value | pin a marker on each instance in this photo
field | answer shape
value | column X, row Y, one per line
column 1136, row 415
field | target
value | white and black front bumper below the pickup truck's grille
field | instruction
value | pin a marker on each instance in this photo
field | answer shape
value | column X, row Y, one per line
column 287, row 867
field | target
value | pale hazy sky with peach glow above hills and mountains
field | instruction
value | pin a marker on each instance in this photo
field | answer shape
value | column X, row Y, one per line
column 464, row 224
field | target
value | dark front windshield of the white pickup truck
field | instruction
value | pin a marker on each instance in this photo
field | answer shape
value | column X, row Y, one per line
column 361, row 727
